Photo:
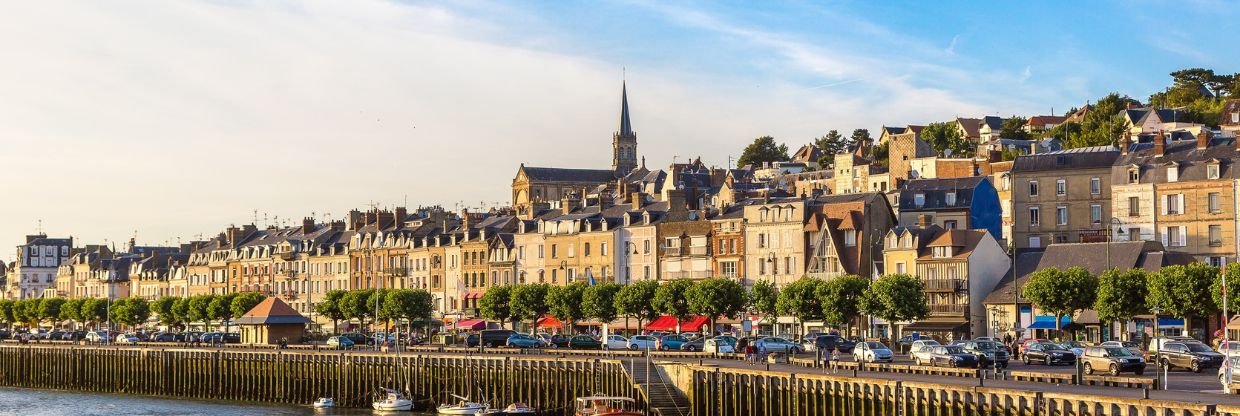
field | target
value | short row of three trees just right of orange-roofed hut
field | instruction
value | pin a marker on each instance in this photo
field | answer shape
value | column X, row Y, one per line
column 376, row 305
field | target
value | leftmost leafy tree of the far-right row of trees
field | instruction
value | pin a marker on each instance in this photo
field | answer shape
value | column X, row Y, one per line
column 1062, row 292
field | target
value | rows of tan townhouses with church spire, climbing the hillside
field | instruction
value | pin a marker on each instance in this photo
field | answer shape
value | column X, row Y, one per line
column 1167, row 194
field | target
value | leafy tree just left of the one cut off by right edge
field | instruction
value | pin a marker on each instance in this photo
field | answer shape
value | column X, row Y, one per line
column 1184, row 291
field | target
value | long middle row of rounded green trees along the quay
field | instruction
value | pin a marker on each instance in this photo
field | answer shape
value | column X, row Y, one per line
column 839, row 302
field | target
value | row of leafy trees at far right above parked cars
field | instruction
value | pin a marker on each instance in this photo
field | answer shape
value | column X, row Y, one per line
column 1192, row 291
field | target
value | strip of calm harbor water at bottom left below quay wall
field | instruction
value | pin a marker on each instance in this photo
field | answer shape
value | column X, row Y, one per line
column 45, row 403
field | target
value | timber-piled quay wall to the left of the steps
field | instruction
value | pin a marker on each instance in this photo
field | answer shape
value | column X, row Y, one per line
column 298, row 378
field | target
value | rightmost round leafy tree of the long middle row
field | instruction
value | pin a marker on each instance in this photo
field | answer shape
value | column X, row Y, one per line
column 896, row 299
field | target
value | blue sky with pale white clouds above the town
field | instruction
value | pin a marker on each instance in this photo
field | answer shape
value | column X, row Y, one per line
column 175, row 120
